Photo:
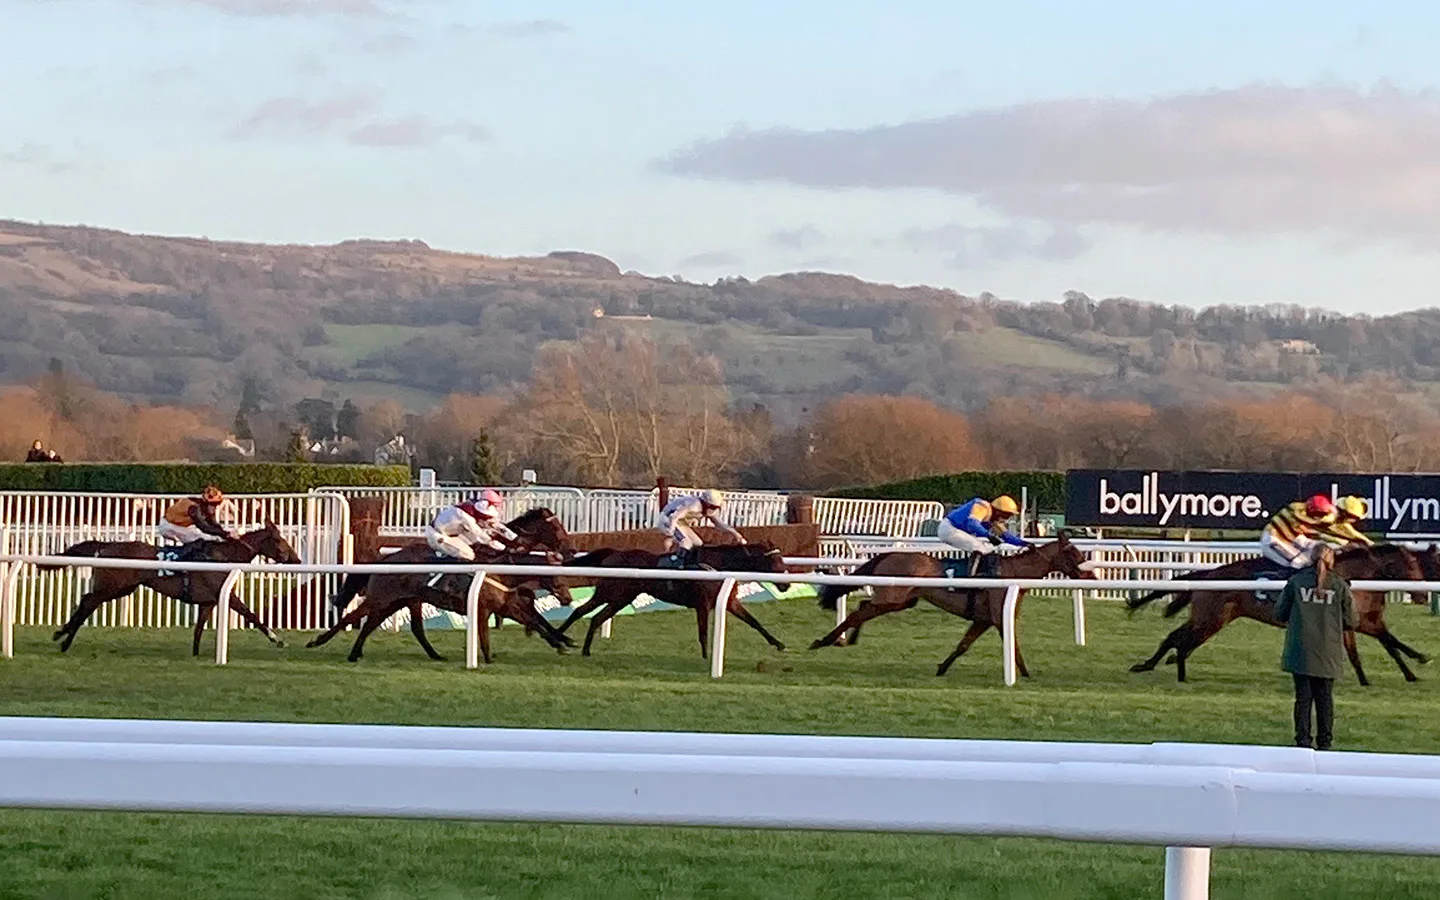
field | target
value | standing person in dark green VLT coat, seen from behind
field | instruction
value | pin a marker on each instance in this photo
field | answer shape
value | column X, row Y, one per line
column 1317, row 610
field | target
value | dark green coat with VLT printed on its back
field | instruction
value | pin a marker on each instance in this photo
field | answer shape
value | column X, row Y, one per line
column 1315, row 627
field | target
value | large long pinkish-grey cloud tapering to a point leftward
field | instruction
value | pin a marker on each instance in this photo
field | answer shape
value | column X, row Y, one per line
column 1249, row 161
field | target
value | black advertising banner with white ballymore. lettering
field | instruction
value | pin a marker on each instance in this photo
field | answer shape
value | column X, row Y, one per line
column 1396, row 505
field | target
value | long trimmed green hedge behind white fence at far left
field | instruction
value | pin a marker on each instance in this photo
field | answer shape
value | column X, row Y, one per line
column 185, row 479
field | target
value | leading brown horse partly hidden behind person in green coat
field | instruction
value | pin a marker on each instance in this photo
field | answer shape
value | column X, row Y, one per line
column 1213, row 610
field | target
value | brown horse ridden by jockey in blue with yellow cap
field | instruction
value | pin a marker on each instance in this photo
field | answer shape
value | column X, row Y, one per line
column 984, row 608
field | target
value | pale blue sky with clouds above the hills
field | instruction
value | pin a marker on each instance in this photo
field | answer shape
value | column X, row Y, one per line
column 1180, row 153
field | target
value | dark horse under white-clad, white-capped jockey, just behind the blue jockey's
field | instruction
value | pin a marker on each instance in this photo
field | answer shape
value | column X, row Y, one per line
column 616, row 594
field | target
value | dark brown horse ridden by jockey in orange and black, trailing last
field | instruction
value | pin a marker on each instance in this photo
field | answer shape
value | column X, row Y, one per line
column 198, row 588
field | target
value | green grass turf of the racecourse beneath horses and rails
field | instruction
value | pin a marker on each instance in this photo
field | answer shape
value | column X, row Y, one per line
column 650, row 676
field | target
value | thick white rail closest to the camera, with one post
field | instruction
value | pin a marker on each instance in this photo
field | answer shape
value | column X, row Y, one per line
column 1186, row 797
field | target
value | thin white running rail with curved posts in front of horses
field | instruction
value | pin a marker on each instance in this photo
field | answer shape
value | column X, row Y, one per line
column 15, row 567
